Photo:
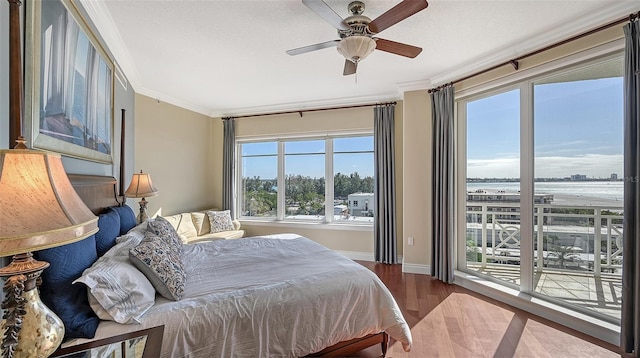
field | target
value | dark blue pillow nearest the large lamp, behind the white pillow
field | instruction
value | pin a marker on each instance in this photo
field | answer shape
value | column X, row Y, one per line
column 69, row 301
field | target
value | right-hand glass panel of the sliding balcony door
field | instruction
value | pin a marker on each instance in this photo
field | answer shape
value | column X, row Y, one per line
column 578, row 126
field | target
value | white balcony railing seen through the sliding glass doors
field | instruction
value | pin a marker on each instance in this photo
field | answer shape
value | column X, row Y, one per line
column 576, row 238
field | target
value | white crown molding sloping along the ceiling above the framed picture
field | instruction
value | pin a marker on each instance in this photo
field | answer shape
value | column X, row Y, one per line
column 101, row 18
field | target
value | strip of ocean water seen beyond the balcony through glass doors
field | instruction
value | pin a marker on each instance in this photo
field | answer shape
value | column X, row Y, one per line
column 604, row 190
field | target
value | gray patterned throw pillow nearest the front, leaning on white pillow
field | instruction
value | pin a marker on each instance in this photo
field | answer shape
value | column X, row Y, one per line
column 161, row 264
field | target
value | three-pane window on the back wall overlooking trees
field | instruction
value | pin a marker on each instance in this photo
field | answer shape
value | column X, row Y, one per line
column 303, row 179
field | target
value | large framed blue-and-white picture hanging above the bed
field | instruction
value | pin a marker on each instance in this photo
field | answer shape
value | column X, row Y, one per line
column 69, row 81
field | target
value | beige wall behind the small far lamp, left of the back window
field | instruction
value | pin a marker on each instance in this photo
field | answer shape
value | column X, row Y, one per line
column 180, row 149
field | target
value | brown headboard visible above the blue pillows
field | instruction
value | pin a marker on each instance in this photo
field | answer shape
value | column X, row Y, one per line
column 97, row 192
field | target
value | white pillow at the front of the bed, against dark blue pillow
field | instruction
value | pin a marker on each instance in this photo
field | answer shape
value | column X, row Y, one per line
column 116, row 289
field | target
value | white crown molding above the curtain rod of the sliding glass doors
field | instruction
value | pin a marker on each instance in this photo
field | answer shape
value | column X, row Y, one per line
column 568, row 29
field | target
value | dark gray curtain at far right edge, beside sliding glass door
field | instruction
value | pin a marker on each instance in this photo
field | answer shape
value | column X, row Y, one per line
column 630, row 329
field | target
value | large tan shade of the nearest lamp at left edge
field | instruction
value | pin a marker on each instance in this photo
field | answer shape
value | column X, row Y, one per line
column 39, row 208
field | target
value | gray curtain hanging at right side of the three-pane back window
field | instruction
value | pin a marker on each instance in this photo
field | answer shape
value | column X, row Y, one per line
column 385, row 184
